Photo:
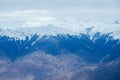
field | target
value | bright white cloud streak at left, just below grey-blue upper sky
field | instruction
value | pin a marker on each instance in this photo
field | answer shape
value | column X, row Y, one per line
column 23, row 15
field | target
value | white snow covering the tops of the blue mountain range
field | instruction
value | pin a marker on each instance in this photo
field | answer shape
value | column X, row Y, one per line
column 72, row 26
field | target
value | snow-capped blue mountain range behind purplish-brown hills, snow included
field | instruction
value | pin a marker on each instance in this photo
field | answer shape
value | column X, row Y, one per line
column 74, row 36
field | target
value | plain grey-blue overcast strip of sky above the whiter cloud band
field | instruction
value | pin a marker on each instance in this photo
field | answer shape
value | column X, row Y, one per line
column 8, row 5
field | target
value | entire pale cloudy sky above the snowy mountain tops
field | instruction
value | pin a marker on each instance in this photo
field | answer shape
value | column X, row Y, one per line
column 18, row 11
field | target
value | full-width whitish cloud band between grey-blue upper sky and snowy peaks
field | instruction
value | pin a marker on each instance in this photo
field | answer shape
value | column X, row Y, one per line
column 20, row 18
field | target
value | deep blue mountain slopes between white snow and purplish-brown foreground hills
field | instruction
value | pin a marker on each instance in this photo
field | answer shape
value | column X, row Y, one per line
column 100, row 46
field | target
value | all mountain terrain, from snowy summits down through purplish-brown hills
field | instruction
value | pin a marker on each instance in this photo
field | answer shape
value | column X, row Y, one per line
column 68, row 49
